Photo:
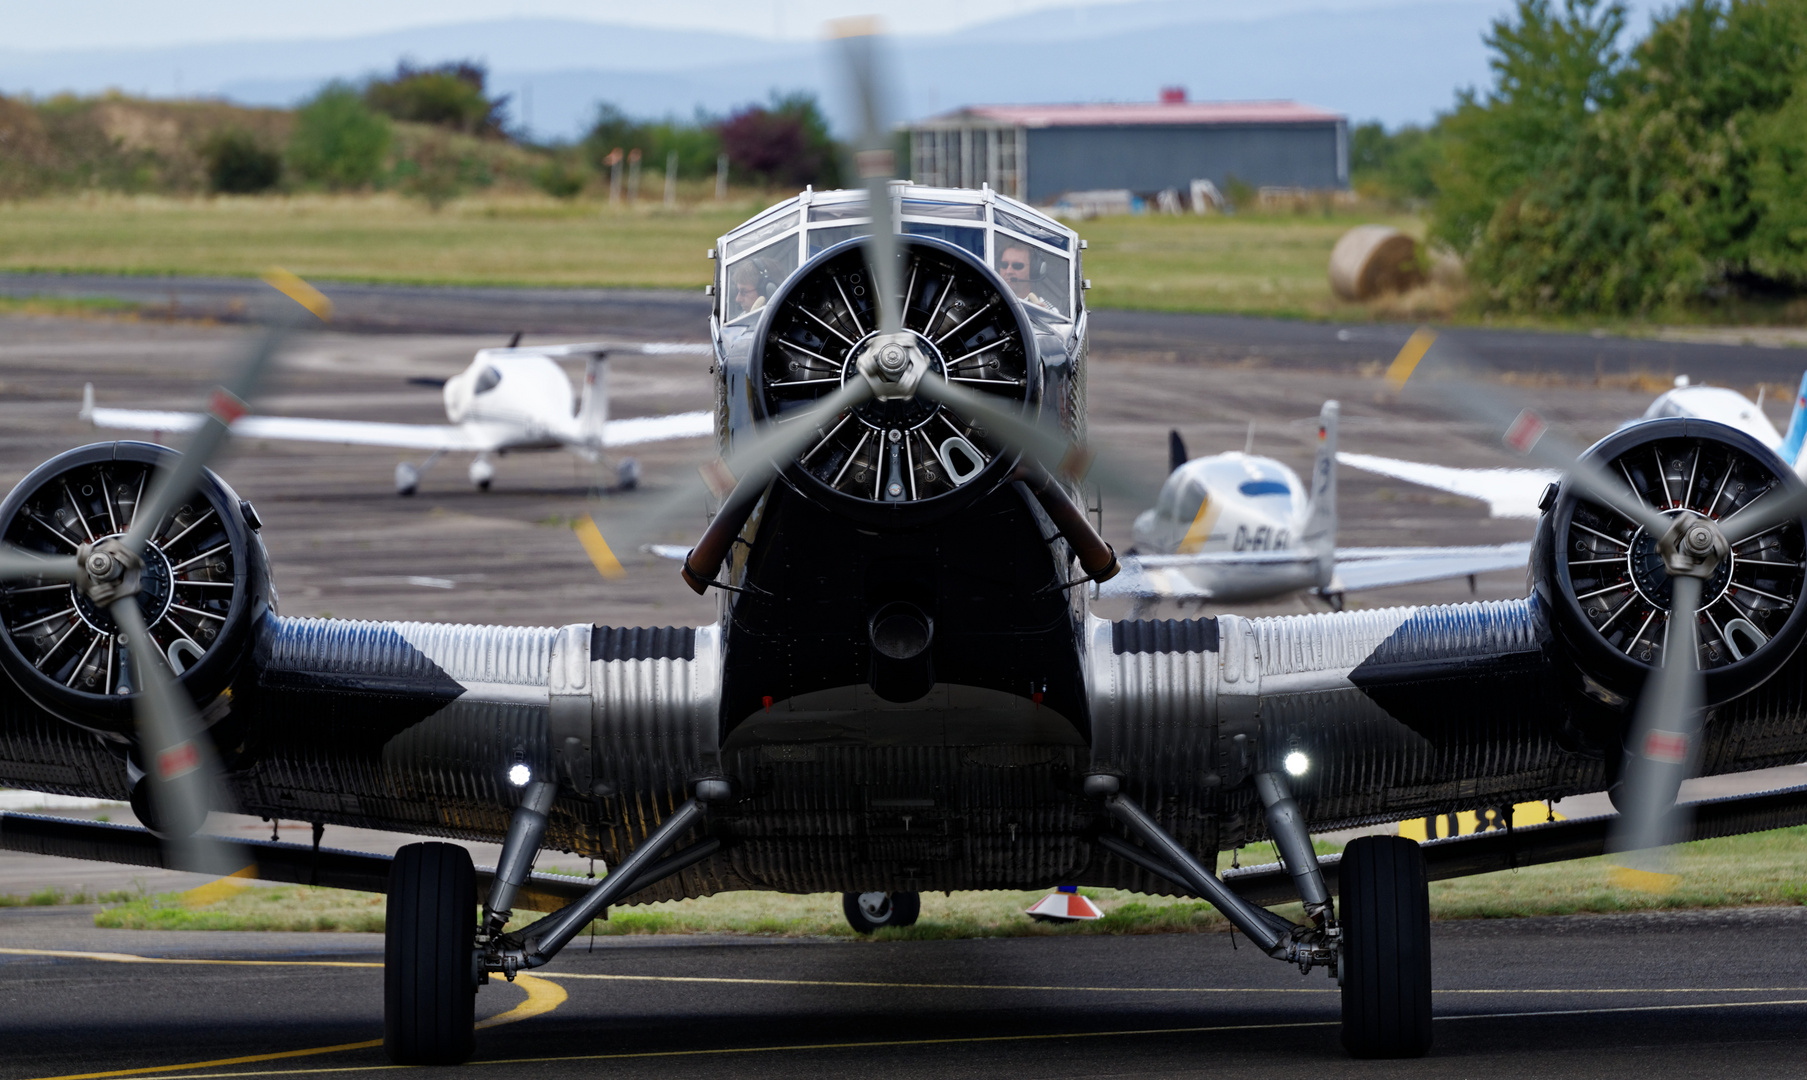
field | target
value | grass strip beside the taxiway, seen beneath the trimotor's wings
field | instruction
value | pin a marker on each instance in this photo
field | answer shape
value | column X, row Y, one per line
column 1739, row 871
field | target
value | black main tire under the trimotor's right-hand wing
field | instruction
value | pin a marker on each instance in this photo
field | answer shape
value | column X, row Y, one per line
column 1387, row 949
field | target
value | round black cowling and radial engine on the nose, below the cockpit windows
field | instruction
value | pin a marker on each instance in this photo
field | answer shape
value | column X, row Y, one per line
column 901, row 461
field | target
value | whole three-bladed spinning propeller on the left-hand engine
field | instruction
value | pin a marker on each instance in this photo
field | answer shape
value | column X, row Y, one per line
column 182, row 768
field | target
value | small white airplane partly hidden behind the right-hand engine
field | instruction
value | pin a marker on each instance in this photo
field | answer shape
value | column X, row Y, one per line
column 1515, row 494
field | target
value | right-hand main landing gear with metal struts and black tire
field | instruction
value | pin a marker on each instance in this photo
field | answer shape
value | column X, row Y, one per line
column 1380, row 953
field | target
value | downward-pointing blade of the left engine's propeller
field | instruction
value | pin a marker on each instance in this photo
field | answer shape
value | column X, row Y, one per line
column 178, row 759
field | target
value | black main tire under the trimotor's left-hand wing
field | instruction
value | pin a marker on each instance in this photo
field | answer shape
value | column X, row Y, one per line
column 429, row 945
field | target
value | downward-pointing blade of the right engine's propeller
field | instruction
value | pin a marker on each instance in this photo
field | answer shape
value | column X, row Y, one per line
column 1662, row 752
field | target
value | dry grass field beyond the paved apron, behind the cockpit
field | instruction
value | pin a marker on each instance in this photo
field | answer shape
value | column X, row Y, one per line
column 1257, row 265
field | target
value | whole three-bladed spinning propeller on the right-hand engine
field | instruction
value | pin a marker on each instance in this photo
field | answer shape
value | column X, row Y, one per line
column 1665, row 734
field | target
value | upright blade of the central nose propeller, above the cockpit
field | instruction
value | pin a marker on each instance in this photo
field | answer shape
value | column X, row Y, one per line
column 861, row 50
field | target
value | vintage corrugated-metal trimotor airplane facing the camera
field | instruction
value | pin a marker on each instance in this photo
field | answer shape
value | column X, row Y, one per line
column 906, row 689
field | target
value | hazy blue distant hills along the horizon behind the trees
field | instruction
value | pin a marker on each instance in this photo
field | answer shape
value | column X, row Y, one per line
column 1398, row 64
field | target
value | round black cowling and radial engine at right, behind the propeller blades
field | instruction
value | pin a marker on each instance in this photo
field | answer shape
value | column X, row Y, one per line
column 1604, row 582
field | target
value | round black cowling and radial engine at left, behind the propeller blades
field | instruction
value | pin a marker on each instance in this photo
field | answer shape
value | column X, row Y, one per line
column 205, row 584
